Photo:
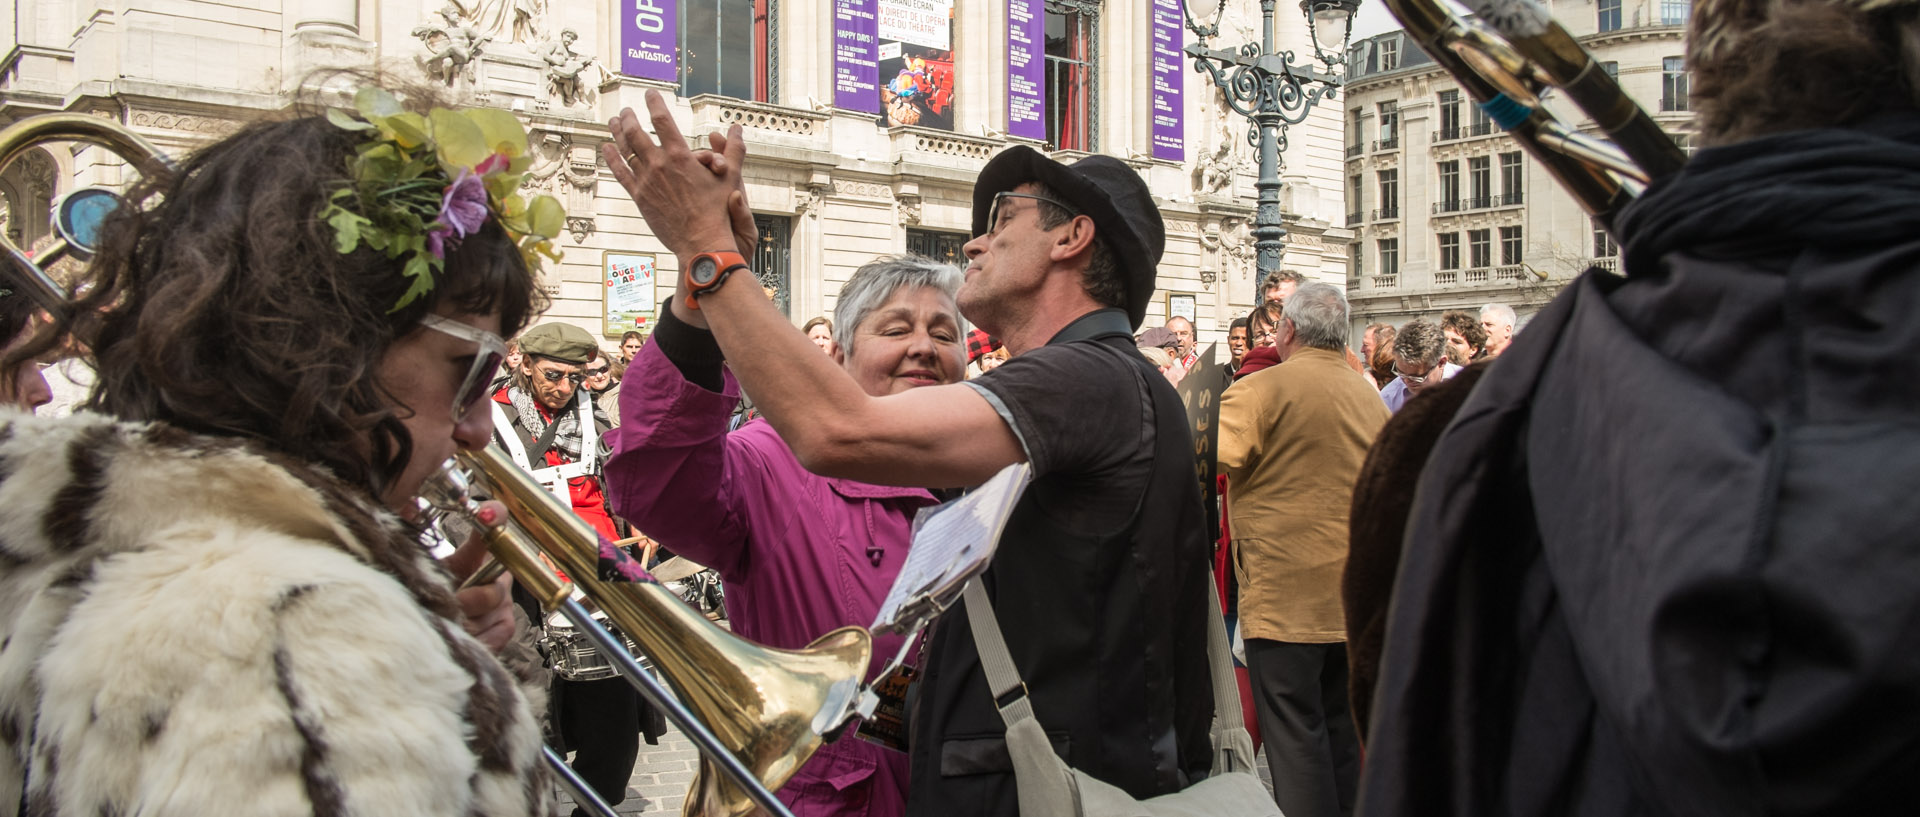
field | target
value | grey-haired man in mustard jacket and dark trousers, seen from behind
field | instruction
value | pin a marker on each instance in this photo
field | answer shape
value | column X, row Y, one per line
column 1293, row 440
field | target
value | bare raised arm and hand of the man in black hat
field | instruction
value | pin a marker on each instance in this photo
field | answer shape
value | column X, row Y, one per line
column 932, row 438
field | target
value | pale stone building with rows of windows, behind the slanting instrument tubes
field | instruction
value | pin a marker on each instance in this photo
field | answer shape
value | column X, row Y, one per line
column 1449, row 212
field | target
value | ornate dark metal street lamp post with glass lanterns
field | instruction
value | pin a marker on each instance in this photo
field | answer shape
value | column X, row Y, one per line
column 1272, row 93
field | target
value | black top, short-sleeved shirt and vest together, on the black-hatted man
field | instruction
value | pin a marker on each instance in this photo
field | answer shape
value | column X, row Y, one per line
column 1099, row 586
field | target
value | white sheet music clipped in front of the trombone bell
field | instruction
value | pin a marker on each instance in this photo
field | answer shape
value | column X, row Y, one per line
column 953, row 544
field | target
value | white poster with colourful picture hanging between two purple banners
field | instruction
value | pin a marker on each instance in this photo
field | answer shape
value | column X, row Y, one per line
column 917, row 62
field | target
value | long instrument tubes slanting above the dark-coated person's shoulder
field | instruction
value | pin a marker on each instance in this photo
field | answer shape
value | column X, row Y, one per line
column 1508, row 57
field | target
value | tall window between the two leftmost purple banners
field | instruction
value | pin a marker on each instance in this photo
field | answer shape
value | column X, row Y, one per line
column 719, row 55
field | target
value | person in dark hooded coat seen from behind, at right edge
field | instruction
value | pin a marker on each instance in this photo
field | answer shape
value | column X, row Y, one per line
column 1664, row 559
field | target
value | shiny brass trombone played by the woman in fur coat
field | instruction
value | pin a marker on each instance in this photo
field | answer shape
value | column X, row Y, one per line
column 756, row 712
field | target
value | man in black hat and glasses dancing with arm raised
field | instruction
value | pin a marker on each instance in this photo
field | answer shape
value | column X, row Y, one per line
column 1103, row 563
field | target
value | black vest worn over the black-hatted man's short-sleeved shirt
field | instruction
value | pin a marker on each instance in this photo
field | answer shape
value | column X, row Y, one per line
column 1107, row 632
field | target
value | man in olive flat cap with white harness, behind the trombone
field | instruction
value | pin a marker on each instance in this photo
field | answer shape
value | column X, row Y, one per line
column 554, row 431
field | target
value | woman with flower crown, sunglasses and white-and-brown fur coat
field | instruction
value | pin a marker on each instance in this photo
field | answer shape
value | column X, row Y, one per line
column 212, row 592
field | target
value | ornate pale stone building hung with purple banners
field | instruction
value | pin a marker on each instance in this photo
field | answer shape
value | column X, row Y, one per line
column 867, row 120
